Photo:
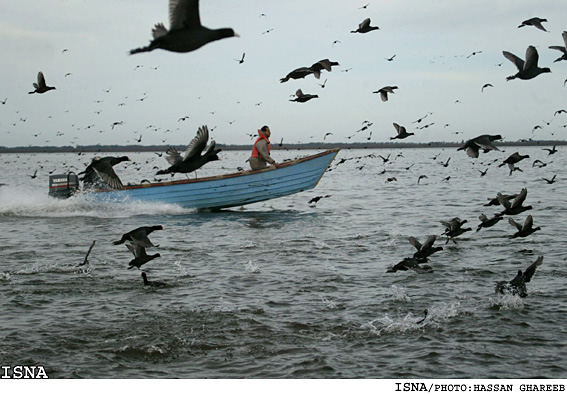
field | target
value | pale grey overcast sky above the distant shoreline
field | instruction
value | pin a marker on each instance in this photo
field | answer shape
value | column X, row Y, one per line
column 82, row 47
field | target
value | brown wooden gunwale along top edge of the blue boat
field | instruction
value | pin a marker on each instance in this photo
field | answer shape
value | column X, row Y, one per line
column 224, row 176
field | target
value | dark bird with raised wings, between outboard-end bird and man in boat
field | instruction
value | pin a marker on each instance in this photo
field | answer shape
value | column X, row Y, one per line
column 193, row 159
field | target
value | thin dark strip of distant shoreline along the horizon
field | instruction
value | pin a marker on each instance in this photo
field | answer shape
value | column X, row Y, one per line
column 275, row 146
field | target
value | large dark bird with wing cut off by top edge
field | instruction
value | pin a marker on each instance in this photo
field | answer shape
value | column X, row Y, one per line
column 185, row 32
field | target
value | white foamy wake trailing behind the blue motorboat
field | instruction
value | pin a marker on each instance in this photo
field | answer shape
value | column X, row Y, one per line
column 19, row 202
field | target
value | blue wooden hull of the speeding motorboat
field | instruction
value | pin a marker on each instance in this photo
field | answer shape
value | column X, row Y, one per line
column 228, row 190
